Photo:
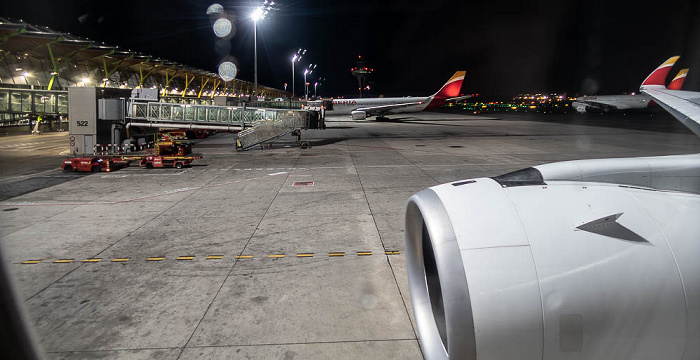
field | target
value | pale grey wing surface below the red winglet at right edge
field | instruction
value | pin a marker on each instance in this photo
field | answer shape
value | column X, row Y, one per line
column 683, row 105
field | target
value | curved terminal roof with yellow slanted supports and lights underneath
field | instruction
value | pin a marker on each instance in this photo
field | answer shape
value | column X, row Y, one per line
column 40, row 56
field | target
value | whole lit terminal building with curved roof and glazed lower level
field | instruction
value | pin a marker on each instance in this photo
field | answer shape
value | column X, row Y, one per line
column 39, row 65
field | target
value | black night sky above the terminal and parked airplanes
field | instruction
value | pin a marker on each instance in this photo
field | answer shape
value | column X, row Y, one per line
column 578, row 47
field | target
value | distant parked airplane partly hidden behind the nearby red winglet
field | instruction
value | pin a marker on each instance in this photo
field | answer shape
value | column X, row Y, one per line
column 622, row 102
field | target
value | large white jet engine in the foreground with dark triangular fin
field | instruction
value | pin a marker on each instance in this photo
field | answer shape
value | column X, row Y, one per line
column 528, row 269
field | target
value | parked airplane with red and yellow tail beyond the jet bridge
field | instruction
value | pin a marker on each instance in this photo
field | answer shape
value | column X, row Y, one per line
column 361, row 109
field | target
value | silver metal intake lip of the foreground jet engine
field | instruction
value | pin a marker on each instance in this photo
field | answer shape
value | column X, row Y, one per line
column 437, row 280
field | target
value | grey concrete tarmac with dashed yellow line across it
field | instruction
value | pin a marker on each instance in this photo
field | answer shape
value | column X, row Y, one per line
column 277, row 252
